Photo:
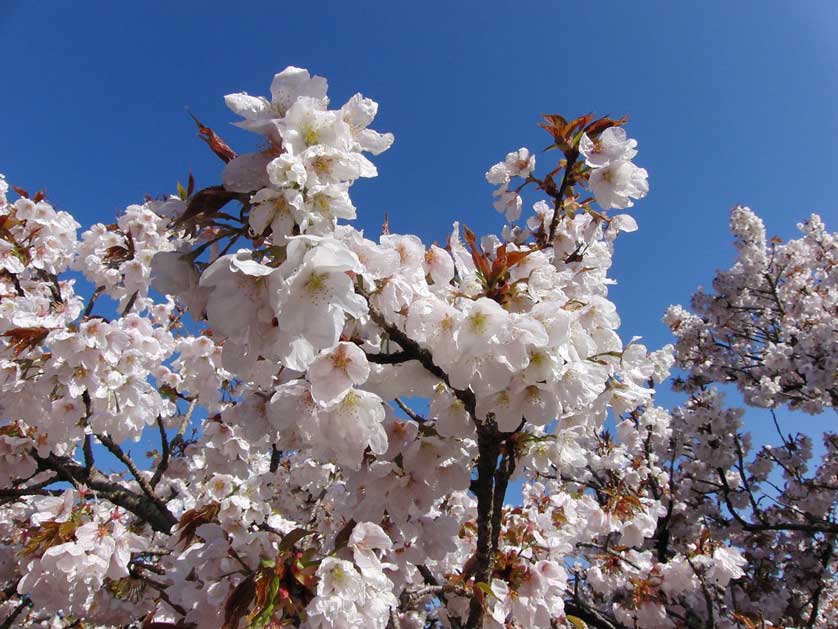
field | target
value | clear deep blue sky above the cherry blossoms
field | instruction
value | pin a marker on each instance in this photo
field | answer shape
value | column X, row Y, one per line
column 730, row 102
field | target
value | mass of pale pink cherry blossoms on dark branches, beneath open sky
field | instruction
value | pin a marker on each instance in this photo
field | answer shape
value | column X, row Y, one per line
column 338, row 418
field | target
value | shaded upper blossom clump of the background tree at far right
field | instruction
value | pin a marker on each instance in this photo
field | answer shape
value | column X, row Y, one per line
column 769, row 324
